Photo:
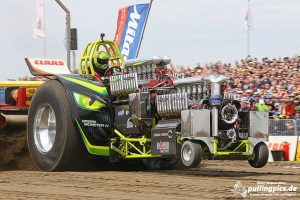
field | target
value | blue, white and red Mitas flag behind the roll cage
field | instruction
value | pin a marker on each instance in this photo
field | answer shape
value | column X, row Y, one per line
column 130, row 25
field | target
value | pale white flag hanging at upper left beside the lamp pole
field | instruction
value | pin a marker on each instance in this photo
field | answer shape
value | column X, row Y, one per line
column 39, row 29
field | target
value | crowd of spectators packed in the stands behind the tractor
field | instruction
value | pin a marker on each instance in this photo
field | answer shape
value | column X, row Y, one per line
column 265, row 85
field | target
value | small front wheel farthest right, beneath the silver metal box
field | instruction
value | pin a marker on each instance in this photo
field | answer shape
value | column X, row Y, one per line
column 261, row 155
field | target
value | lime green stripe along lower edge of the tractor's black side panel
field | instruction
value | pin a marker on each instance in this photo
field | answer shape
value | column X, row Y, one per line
column 92, row 149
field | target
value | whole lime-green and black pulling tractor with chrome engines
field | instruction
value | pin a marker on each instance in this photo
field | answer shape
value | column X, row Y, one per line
column 137, row 111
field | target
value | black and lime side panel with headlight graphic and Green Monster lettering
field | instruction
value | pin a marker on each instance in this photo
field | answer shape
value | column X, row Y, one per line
column 94, row 125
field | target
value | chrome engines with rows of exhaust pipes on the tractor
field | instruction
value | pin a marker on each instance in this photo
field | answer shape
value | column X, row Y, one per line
column 168, row 97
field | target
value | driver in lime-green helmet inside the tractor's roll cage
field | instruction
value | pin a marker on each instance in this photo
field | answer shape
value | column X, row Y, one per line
column 100, row 61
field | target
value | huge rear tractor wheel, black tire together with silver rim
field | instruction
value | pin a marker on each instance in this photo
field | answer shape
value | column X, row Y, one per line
column 53, row 142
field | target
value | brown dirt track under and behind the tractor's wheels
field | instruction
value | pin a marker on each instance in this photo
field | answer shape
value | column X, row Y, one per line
column 212, row 180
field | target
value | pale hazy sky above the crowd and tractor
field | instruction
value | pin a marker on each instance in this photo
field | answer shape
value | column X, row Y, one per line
column 188, row 31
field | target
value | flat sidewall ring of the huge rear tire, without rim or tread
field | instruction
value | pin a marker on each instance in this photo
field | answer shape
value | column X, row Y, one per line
column 46, row 95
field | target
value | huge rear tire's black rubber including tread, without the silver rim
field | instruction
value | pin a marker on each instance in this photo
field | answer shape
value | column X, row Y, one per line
column 67, row 148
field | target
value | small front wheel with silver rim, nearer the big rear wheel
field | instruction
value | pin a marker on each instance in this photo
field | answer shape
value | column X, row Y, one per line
column 191, row 154
